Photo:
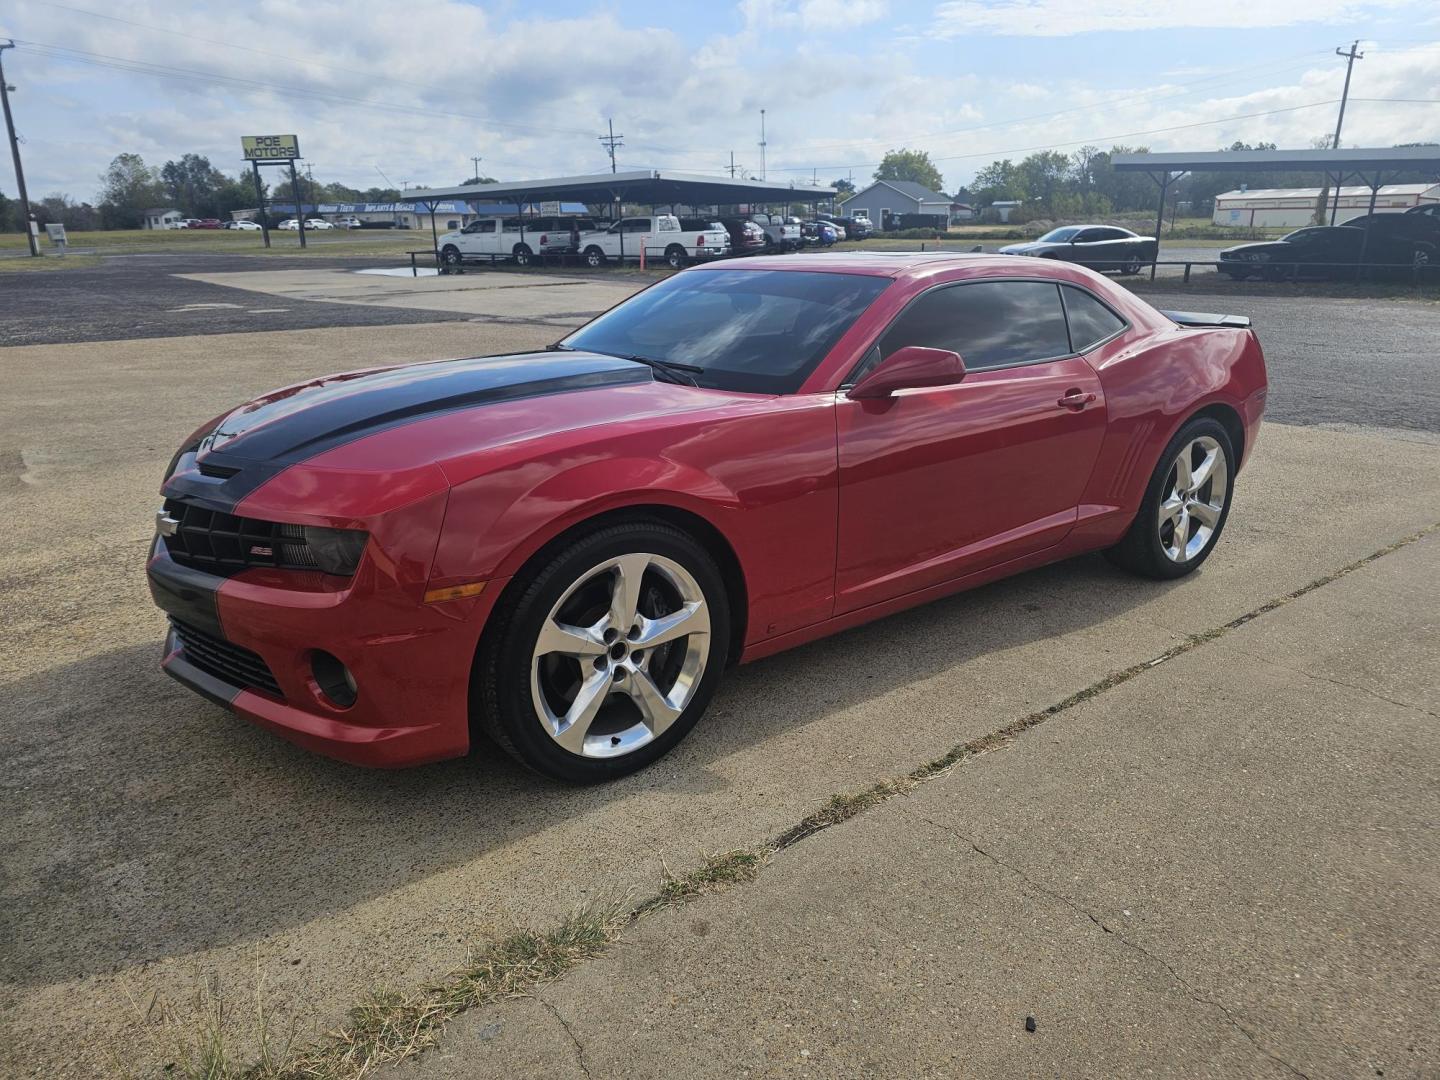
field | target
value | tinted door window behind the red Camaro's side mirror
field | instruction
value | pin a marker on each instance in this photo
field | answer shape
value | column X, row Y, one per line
column 989, row 323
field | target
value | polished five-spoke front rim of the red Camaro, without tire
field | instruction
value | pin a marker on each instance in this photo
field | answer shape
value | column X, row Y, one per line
column 620, row 656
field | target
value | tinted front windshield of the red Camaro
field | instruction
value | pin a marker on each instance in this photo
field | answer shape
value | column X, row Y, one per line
column 755, row 332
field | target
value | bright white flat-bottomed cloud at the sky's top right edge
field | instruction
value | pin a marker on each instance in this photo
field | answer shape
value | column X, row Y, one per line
column 1063, row 18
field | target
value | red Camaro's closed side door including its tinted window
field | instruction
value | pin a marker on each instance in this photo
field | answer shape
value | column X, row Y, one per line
column 938, row 483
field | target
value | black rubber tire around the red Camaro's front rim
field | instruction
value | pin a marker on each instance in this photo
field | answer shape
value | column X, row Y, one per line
column 502, row 702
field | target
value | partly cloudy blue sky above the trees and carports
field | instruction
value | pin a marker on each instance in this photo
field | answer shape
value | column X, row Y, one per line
column 390, row 94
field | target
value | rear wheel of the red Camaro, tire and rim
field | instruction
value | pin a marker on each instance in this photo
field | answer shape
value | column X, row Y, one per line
column 1186, row 505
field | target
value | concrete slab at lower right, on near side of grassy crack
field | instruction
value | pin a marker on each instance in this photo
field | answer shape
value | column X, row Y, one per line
column 1225, row 868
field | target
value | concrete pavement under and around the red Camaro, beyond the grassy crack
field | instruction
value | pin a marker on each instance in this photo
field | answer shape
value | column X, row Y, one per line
column 153, row 840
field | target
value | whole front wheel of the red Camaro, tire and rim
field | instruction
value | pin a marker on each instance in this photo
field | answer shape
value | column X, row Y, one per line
column 608, row 654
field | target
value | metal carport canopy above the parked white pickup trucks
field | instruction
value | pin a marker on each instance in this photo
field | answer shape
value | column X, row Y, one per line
column 650, row 188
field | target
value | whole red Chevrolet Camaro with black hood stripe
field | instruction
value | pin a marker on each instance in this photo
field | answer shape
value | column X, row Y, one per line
column 565, row 549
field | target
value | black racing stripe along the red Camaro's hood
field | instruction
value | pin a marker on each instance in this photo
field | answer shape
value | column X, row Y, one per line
column 260, row 440
